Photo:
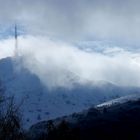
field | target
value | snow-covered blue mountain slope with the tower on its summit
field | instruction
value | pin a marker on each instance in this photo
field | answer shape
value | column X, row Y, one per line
column 38, row 103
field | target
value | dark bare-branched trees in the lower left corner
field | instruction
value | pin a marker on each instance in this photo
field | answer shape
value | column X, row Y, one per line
column 10, row 119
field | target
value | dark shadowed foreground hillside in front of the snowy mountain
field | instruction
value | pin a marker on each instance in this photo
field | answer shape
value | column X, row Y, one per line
column 119, row 121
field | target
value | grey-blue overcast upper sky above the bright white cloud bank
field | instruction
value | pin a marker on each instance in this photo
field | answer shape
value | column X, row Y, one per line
column 76, row 19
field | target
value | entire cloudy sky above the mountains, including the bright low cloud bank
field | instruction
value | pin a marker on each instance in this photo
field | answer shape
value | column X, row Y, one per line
column 56, row 30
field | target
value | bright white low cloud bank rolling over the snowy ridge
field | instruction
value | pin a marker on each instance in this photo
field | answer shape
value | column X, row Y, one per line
column 59, row 64
